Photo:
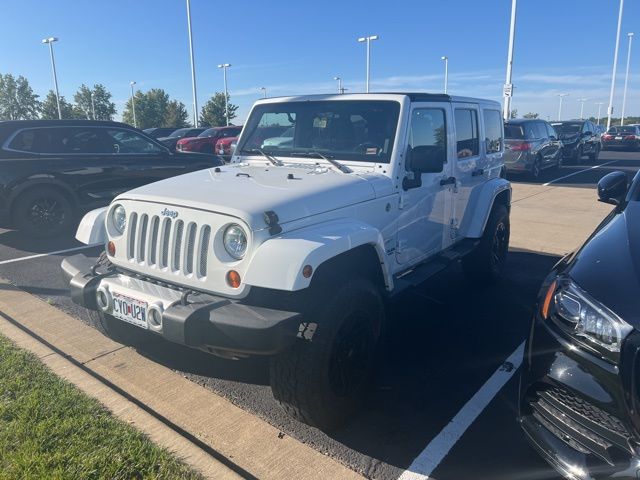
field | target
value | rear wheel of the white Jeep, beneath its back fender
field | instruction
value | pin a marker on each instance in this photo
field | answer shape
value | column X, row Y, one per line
column 486, row 262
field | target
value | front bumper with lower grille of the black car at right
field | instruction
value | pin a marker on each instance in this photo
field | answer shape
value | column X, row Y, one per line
column 573, row 410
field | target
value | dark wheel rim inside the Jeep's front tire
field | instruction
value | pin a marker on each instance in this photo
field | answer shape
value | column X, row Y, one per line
column 351, row 355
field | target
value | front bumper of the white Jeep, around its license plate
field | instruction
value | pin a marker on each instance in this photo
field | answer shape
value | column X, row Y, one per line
column 194, row 319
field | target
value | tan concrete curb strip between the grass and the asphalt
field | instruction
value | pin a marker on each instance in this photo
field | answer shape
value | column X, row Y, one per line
column 205, row 430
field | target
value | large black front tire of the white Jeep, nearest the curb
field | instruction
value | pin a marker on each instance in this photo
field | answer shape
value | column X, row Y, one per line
column 323, row 381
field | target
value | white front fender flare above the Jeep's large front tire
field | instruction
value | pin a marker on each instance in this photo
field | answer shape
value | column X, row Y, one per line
column 279, row 261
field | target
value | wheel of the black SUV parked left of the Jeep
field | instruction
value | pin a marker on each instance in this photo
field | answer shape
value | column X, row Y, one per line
column 43, row 212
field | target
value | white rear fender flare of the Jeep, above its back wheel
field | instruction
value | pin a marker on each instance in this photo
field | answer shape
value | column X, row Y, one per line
column 482, row 198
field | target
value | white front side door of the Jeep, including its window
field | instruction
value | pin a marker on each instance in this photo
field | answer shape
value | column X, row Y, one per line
column 426, row 202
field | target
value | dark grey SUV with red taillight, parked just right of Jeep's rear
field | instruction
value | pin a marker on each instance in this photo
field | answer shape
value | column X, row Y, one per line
column 530, row 146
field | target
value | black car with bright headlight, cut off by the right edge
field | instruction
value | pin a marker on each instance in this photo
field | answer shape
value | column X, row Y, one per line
column 580, row 388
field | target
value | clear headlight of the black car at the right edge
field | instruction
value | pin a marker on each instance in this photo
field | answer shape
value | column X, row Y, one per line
column 584, row 317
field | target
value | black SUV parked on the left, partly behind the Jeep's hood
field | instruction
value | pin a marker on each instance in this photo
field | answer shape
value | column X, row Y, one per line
column 50, row 170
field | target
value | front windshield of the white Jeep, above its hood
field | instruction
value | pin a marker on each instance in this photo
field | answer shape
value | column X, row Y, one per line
column 360, row 130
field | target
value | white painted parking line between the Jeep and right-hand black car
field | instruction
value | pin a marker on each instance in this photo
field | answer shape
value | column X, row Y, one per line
column 429, row 459
